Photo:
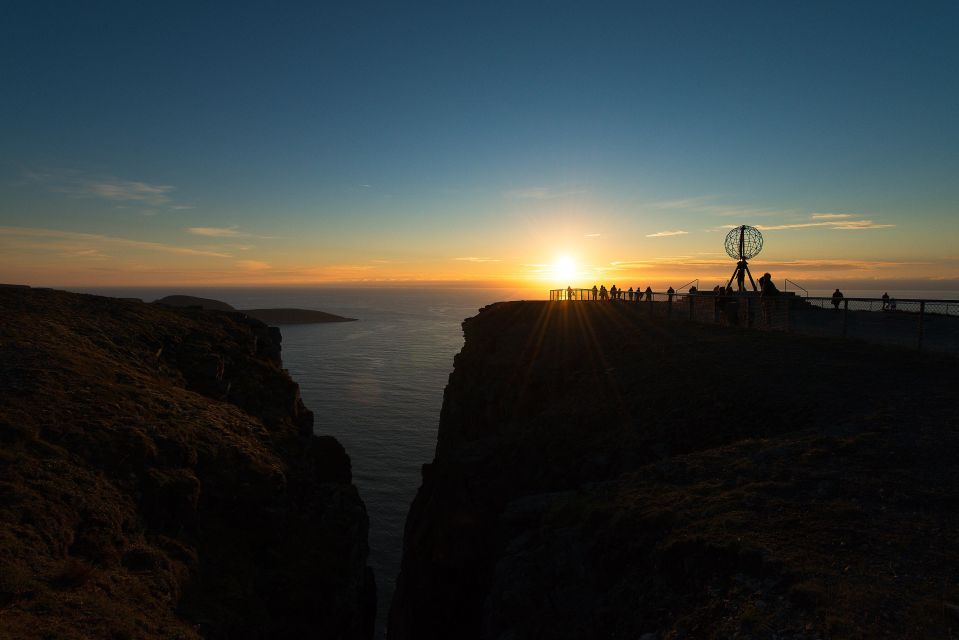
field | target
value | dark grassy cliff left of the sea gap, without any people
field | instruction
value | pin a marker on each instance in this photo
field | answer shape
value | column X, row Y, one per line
column 159, row 478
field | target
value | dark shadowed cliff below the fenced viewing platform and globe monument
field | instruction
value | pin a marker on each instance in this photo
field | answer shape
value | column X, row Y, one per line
column 601, row 474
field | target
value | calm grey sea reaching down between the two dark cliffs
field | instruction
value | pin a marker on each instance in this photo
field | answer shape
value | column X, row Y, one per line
column 375, row 384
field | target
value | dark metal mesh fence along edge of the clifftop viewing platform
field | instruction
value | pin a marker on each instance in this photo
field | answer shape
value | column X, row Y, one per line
column 919, row 324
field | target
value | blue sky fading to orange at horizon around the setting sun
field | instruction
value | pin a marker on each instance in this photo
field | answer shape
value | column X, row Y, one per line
column 547, row 143
